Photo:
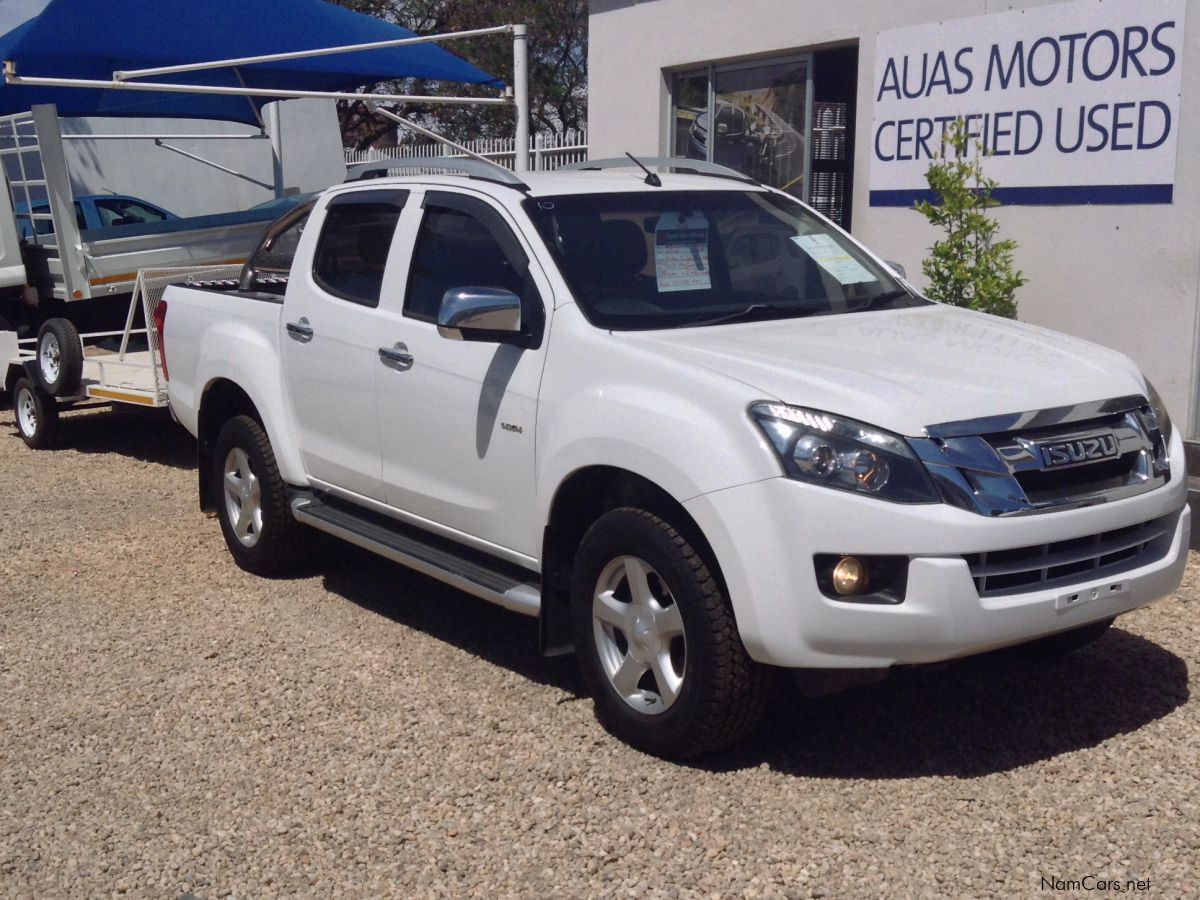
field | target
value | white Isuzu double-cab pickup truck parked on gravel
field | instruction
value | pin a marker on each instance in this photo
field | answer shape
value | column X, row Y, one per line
column 689, row 424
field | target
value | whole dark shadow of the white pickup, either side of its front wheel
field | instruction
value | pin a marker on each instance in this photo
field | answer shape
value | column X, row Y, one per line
column 979, row 717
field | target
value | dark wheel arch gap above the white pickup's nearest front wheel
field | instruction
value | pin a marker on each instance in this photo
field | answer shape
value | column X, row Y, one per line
column 585, row 496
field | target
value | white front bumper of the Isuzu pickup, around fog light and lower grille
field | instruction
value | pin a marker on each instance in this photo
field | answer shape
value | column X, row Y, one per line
column 766, row 535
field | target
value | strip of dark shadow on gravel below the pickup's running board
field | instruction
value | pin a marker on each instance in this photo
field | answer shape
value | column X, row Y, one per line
column 482, row 629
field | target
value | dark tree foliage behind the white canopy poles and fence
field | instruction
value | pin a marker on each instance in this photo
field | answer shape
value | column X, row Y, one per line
column 559, row 40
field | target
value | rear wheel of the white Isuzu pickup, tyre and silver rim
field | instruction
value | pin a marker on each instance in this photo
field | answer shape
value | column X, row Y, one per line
column 253, row 502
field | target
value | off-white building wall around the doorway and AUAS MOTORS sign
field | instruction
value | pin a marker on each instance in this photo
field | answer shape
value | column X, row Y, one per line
column 1124, row 277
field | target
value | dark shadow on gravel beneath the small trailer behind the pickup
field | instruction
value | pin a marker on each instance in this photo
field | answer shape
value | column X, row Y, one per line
column 147, row 435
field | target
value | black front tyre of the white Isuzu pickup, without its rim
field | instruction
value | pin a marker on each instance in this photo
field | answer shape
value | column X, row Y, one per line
column 724, row 693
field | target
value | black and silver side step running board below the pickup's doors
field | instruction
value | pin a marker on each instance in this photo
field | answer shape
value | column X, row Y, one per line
column 428, row 556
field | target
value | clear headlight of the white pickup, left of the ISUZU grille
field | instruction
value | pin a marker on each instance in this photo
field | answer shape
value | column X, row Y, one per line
column 839, row 453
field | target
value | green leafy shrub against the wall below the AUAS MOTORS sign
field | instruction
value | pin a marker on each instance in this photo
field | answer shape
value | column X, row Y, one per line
column 969, row 267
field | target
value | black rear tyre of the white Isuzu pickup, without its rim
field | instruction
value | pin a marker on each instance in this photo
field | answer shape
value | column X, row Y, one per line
column 280, row 542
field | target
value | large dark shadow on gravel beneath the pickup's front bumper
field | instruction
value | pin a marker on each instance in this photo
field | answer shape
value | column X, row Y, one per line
column 980, row 717
